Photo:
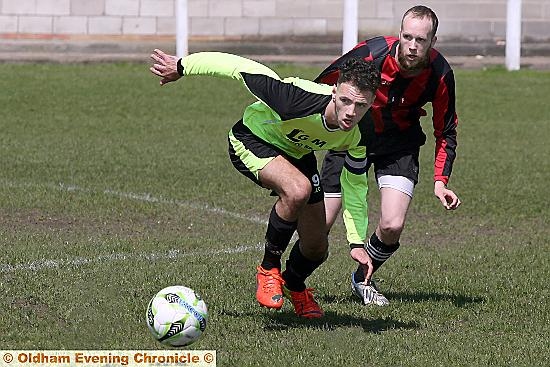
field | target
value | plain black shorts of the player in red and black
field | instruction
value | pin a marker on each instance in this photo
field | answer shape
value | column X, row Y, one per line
column 395, row 164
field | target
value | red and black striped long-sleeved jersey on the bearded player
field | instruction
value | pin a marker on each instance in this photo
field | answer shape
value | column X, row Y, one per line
column 393, row 123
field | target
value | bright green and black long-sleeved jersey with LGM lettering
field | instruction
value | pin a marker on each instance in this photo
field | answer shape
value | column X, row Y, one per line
column 289, row 114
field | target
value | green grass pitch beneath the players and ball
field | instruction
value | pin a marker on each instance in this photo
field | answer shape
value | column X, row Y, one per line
column 112, row 188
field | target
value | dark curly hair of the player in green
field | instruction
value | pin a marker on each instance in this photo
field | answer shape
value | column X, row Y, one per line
column 361, row 73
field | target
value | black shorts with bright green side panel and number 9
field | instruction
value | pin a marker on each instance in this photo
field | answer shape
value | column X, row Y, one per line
column 249, row 154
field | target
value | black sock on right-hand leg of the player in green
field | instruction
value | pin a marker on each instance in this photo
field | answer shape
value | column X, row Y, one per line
column 298, row 268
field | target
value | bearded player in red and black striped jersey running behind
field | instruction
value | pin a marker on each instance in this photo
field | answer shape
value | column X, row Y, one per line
column 413, row 74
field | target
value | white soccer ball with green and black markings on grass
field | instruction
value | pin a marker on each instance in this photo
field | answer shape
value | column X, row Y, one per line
column 177, row 316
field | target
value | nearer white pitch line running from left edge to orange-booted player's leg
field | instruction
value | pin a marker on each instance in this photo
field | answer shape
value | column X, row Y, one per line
column 46, row 264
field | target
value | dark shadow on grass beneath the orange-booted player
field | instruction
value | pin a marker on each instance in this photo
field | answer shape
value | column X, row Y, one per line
column 285, row 320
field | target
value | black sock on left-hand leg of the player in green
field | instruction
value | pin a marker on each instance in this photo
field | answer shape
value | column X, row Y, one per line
column 278, row 235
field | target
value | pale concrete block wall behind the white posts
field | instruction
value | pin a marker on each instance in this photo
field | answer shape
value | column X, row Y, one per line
column 459, row 19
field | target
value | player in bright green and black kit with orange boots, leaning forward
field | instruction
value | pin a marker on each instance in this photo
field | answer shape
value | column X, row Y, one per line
column 274, row 144
